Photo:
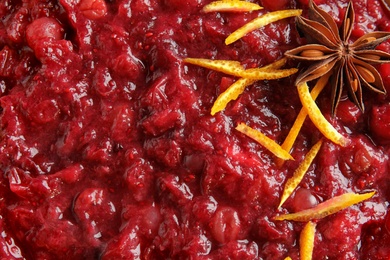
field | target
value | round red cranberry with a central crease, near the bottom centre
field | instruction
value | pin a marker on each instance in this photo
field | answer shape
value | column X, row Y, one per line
column 225, row 225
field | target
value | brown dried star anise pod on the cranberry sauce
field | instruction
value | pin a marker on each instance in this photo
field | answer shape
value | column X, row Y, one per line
column 329, row 49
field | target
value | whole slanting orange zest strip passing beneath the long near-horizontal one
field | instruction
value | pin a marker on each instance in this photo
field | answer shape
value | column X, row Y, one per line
column 238, row 87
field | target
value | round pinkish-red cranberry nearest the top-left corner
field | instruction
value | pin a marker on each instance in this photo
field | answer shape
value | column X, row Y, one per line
column 42, row 29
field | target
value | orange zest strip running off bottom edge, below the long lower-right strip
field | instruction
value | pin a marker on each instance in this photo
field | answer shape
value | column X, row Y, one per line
column 306, row 241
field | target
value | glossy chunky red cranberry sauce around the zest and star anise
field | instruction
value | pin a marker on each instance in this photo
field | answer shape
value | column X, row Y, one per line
column 108, row 149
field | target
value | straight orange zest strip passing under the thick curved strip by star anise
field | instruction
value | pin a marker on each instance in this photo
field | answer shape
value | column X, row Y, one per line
column 294, row 131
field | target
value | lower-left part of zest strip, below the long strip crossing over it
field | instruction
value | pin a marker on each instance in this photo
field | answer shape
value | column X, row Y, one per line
column 230, row 94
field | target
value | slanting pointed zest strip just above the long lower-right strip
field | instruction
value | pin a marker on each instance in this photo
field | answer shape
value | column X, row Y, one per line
column 300, row 172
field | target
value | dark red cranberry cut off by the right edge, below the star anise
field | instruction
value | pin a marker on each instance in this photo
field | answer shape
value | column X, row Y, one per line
column 380, row 123
